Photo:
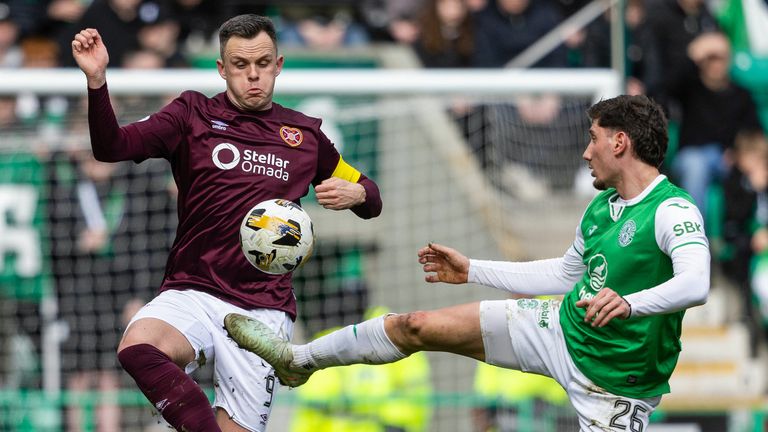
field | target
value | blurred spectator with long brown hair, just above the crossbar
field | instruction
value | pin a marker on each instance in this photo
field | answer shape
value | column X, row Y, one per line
column 446, row 39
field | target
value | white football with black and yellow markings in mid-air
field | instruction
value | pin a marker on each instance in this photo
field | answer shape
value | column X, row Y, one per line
column 277, row 236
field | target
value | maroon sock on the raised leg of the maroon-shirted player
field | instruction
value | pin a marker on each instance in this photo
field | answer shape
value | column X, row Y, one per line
column 179, row 399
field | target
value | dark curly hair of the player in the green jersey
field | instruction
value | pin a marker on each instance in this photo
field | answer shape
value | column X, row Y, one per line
column 639, row 117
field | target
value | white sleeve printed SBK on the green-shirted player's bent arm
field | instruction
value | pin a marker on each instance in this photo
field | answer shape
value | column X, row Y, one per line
column 679, row 234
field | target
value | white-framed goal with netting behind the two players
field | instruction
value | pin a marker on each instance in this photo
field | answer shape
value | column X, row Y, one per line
column 488, row 162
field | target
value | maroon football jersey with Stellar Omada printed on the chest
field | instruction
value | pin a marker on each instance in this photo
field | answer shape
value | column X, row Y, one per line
column 224, row 161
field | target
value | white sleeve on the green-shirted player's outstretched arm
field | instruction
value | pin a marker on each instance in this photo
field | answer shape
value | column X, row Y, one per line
column 541, row 277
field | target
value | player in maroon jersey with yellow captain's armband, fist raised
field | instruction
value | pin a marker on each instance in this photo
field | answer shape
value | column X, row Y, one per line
column 227, row 153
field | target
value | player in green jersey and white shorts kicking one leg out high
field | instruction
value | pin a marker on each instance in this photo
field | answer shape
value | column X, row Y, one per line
column 639, row 259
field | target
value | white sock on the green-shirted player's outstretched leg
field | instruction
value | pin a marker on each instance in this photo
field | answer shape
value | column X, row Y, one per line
column 366, row 342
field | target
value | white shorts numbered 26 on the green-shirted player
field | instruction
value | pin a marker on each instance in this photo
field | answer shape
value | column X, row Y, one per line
column 525, row 335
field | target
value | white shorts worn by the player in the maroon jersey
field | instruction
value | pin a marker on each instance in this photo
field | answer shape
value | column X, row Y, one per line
column 244, row 384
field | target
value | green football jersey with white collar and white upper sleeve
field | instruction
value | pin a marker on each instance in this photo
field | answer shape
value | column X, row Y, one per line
column 627, row 247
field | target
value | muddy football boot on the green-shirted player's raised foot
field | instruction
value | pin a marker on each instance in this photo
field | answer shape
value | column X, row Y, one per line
column 256, row 337
